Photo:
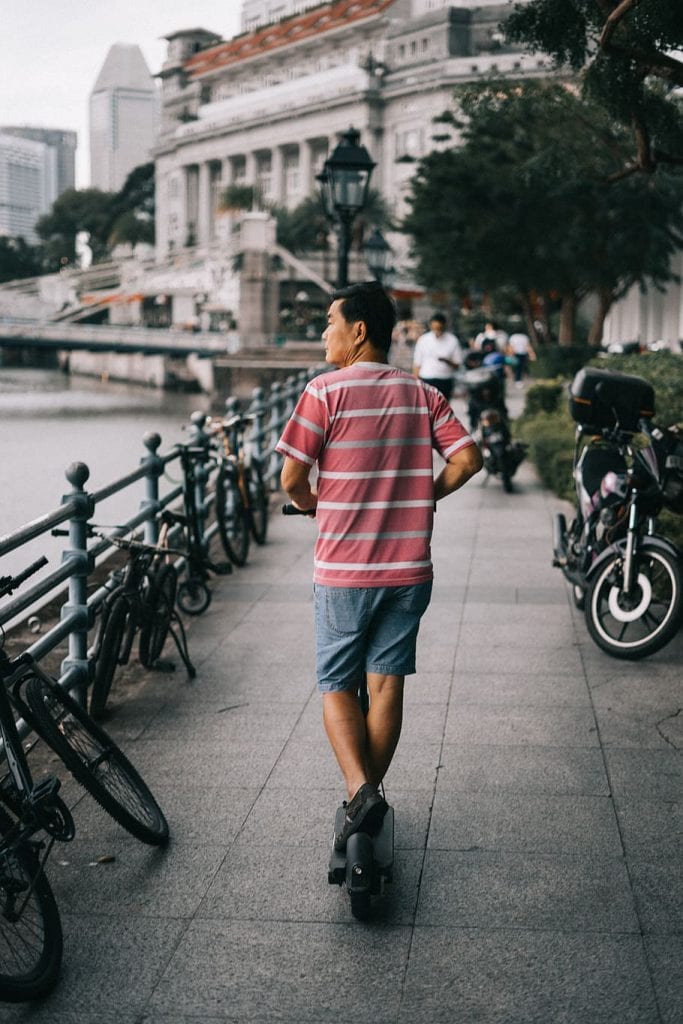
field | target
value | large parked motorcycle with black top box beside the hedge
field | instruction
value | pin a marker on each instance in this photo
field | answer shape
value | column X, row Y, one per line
column 625, row 577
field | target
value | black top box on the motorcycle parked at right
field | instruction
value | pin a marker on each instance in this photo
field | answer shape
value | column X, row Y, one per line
column 603, row 399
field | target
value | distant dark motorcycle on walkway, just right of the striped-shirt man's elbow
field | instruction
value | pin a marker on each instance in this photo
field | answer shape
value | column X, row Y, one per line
column 490, row 424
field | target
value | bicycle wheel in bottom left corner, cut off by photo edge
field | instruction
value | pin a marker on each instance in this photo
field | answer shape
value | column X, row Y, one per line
column 31, row 942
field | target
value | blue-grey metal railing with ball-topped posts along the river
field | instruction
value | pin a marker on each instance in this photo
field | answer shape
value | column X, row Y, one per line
column 269, row 412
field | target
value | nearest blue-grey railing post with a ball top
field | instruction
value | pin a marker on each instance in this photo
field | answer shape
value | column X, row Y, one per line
column 75, row 669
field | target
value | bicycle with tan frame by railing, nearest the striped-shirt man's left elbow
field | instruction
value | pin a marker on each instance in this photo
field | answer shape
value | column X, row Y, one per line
column 242, row 498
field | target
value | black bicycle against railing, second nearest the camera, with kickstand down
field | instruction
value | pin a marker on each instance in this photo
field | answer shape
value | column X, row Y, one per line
column 142, row 601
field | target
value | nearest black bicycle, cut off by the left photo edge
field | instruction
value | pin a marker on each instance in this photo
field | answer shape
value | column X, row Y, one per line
column 31, row 941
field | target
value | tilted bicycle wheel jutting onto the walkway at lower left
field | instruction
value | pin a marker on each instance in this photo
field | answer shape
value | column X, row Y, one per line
column 96, row 761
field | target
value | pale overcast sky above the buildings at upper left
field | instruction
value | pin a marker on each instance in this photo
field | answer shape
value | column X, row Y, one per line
column 52, row 53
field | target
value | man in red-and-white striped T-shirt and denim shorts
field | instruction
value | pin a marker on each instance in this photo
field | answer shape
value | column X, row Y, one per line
column 370, row 429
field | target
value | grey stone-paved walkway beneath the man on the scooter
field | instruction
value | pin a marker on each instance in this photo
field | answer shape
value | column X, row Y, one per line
column 538, row 866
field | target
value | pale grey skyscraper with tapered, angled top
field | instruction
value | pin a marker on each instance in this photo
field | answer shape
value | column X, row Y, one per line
column 123, row 117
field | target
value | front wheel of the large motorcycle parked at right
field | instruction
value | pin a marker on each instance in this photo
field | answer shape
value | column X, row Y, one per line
column 642, row 624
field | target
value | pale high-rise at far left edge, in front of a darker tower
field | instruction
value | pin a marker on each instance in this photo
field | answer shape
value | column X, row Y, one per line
column 28, row 185
